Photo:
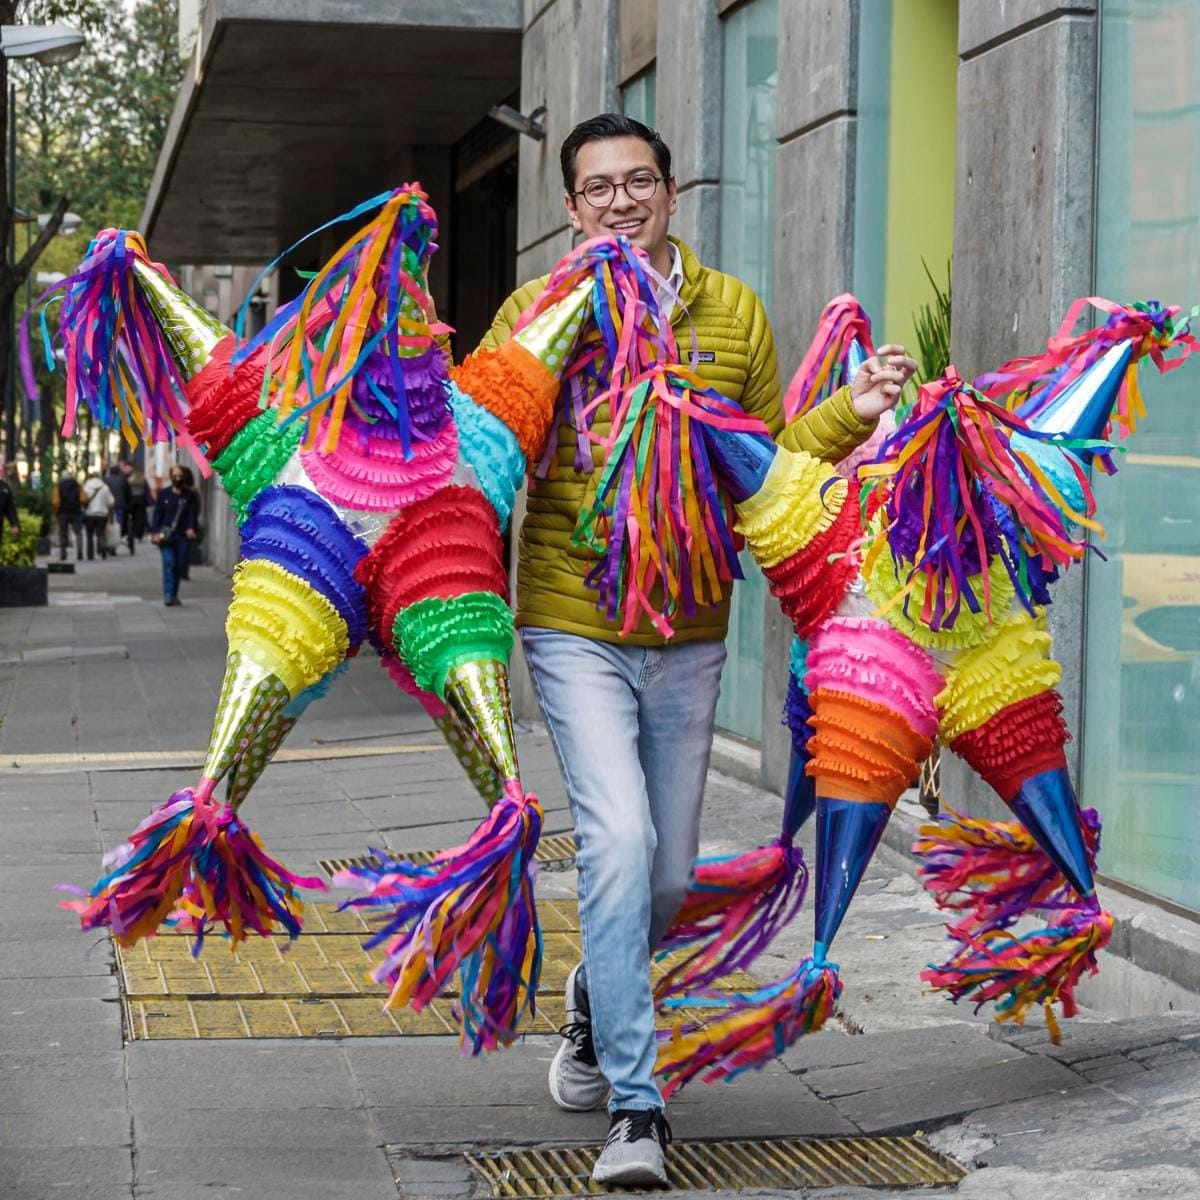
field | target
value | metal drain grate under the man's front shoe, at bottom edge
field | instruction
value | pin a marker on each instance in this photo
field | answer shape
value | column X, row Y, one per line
column 729, row 1167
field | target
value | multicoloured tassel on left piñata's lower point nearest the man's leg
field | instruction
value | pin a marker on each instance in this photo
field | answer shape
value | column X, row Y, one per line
column 470, row 911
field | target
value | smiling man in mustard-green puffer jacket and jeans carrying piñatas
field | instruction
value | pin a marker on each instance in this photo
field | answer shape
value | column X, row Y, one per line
column 632, row 718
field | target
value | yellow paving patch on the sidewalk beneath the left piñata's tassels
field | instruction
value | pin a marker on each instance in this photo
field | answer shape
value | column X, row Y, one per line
column 316, row 987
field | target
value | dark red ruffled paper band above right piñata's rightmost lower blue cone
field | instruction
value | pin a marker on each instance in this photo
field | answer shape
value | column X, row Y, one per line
column 1022, row 741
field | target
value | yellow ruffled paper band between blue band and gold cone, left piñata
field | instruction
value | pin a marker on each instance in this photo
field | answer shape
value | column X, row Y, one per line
column 283, row 623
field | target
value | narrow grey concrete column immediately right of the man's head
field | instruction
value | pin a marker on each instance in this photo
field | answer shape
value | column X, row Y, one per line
column 689, row 101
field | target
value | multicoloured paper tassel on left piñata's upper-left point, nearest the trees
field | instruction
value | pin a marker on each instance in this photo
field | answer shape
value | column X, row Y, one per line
column 118, row 362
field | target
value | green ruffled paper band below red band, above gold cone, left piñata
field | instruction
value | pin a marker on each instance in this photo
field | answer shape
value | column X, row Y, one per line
column 436, row 635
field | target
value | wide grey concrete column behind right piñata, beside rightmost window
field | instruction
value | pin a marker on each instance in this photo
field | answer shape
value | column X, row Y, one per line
column 1023, row 235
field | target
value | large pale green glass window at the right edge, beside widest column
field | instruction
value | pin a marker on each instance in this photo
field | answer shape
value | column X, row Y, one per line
column 1142, row 712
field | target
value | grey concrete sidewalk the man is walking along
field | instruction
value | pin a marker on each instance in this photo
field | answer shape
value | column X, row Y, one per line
column 107, row 670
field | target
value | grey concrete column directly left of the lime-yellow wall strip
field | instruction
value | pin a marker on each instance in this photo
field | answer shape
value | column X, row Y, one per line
column 814, row 244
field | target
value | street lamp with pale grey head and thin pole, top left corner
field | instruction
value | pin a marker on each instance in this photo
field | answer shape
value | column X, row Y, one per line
column 51, row 46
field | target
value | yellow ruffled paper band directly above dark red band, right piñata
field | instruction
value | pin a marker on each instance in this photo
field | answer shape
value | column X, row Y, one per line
column 1013, row 665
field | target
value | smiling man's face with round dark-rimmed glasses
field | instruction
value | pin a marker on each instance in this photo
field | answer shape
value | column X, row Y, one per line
column 643, row 221
